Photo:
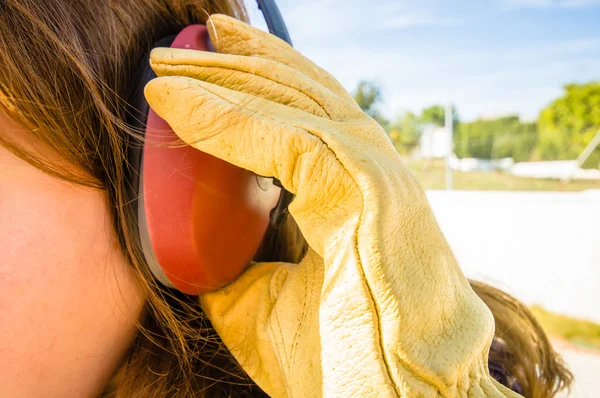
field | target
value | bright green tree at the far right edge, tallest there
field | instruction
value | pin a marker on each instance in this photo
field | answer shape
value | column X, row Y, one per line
column 569, row 123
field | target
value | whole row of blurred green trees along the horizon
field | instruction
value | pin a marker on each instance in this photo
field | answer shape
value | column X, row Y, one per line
column 561, row 132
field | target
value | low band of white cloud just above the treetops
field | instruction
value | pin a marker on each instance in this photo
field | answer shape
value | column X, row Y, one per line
column 521, row 80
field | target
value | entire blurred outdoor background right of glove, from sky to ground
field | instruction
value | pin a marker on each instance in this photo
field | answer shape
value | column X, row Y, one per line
column 495, row 107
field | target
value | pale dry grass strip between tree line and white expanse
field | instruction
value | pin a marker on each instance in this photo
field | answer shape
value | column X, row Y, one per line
column 431, row 175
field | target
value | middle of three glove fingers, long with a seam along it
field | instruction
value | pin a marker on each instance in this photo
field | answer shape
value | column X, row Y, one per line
column 260, row 77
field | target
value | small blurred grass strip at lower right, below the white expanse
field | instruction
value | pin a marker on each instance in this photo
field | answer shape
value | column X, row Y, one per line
column 576, row 331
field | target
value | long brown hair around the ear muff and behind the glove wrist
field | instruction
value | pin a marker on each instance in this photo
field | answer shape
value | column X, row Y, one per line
column 65, row 70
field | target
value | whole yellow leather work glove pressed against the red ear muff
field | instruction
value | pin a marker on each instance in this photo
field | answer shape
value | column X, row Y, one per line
column 379, row 306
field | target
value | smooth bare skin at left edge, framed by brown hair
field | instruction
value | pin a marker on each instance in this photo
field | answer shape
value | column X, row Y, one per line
column 68, row 300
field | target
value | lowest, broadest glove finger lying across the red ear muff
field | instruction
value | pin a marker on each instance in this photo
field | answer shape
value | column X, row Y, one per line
column 265, row 137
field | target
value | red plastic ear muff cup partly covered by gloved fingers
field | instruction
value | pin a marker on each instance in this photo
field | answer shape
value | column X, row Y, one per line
column 201, row 219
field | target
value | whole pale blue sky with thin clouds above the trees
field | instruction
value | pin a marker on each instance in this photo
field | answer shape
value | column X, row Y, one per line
column 490, row 57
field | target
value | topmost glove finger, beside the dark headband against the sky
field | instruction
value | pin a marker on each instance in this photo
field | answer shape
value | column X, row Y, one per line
column 232, row 36
